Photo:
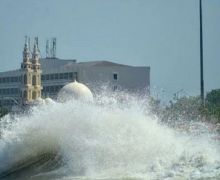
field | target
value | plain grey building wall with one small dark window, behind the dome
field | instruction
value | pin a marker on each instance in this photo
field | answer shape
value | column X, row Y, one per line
column 132, row 79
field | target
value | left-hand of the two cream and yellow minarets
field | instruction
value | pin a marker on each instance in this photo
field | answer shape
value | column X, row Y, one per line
column 26, row 75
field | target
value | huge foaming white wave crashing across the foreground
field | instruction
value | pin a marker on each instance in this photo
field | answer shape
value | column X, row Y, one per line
column 111, row 138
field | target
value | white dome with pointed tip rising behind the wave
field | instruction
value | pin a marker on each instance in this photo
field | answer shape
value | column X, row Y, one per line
column 75, row 90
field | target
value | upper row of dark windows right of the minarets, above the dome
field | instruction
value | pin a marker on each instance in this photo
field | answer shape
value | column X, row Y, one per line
column 70, row 75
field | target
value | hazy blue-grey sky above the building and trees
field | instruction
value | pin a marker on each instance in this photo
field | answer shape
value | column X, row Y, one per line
column 162, row 34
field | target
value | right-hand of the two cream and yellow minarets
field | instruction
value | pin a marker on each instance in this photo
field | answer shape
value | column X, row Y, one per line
column 36, row 75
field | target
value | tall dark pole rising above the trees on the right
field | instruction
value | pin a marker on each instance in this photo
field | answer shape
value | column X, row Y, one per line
column 201, row 57
